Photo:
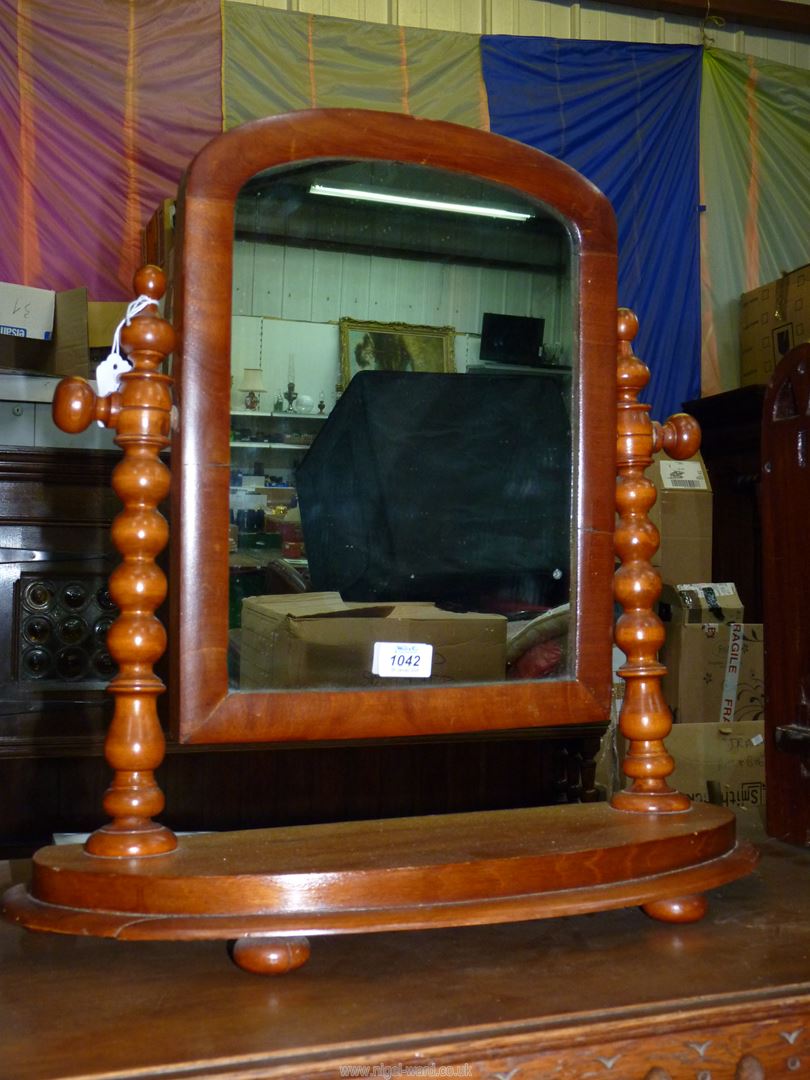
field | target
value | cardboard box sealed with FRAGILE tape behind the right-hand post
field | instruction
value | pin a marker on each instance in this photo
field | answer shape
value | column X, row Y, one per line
column 714, row 660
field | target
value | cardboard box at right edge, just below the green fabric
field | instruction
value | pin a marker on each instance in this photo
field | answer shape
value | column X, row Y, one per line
column 773, row 320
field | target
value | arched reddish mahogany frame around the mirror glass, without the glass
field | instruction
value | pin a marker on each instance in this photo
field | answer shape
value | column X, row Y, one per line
column 205, row 710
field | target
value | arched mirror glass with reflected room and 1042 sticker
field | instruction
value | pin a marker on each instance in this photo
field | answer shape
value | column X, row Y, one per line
column 401, row 435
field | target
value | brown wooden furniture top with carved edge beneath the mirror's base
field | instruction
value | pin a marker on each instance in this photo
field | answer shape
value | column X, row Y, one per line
column 575, row 997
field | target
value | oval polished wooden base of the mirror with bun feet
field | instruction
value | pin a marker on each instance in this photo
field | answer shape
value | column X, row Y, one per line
column 402, row 874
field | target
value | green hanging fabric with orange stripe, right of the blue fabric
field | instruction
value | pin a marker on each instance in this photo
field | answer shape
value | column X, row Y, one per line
column 755, row 155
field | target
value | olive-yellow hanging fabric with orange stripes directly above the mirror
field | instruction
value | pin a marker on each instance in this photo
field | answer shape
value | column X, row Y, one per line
column 279, row 62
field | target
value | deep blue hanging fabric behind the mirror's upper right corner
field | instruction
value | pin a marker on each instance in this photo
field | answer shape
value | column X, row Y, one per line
column 627, row 116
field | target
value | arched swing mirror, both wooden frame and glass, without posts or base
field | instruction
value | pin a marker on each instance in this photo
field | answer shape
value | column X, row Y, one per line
column 394, row 472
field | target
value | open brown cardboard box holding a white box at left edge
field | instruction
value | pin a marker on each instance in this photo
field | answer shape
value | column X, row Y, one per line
column 66, row 354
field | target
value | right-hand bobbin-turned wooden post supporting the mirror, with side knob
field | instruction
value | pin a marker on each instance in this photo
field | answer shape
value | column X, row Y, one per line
column 645, row 720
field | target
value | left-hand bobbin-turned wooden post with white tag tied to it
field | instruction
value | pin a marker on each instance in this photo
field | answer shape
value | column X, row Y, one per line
column 141, row 415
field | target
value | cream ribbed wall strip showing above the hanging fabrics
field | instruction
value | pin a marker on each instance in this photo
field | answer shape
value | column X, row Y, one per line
column 558, row 20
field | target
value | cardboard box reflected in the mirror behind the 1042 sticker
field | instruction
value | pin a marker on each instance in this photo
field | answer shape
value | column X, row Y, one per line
column 317, row 640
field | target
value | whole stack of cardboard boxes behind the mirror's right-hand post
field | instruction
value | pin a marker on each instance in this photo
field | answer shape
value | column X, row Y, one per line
column 714, row 682
